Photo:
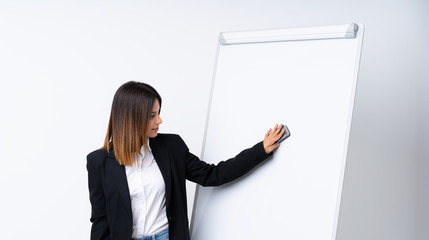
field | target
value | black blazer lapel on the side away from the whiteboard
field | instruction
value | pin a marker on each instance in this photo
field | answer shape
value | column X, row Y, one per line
column 118, row 173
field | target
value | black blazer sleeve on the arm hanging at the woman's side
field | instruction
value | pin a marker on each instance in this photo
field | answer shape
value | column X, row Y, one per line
column 100, row 227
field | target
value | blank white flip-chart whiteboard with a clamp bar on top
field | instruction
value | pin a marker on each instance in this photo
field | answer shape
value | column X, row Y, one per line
column 306, row 79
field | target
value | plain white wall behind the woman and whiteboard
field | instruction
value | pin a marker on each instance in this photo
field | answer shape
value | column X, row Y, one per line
column 61, row 62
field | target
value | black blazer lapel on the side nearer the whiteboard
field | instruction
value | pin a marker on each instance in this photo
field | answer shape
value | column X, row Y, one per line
column 162, row 158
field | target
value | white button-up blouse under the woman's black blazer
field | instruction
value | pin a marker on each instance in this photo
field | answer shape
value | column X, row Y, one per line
column 147, row 193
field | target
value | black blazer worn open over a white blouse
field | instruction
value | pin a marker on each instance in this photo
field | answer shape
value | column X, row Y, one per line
column 111, row 215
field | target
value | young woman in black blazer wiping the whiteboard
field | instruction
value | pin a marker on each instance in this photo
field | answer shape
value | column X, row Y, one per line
column 137, row 179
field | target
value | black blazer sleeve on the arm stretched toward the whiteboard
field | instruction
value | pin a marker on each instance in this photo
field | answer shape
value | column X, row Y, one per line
column 225, row 171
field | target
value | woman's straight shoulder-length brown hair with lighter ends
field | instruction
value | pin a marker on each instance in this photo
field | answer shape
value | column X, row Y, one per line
column 129, row 117
